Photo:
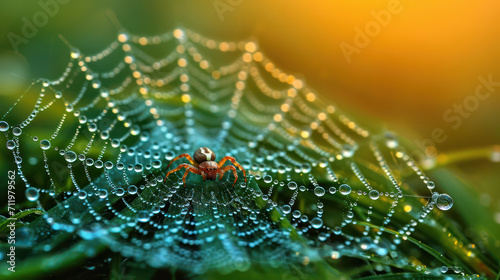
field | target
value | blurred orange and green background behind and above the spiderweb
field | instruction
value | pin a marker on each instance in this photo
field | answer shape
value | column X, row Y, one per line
column 427, row 59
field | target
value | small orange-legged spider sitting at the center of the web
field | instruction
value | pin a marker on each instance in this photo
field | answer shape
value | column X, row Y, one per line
column 204, row 164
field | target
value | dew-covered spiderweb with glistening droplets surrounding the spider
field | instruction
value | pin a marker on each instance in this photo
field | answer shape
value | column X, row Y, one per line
column 319, row 184
